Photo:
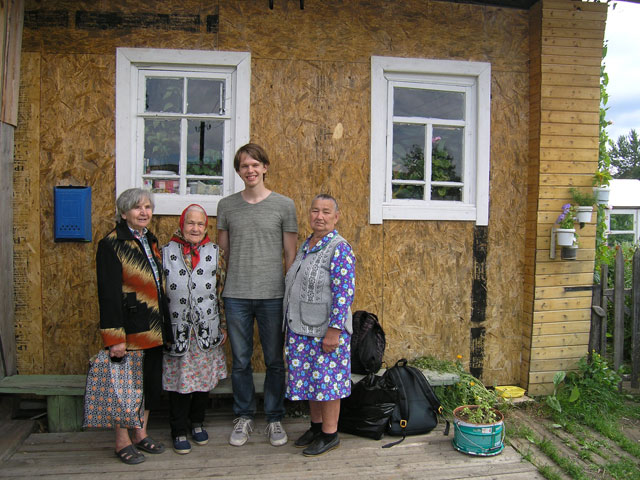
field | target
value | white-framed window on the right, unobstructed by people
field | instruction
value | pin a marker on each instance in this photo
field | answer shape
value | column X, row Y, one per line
column 430, row 140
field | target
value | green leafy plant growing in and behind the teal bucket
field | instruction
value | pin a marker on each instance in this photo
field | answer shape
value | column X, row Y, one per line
column 468, row 391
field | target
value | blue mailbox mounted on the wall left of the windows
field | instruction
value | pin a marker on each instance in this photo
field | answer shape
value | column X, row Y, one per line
column 72, row 214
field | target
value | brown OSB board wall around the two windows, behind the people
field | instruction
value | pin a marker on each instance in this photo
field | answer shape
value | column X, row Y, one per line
column 310, row 108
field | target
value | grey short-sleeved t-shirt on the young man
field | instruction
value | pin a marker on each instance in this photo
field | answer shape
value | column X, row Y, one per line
column 255, row 269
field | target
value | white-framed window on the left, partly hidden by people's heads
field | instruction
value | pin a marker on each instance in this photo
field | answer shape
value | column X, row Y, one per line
column 180, row 117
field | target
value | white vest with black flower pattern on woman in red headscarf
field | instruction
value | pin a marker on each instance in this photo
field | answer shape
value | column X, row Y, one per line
column 193, row 304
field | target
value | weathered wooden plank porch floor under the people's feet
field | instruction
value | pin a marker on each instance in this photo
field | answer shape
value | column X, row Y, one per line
column 89, row 455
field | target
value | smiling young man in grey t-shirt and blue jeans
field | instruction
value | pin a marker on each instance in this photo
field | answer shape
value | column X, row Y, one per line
column 255, row 227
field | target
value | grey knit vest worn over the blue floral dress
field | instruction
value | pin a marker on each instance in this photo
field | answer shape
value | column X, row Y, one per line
column 307, row 297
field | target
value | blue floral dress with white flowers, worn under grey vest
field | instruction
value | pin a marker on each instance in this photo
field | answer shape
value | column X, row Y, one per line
column 312, row 373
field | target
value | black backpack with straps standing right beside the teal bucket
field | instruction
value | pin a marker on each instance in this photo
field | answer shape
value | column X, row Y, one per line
column 417, row 405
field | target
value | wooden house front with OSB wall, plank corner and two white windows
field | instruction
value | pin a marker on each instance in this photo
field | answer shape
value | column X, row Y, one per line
column 500, row 96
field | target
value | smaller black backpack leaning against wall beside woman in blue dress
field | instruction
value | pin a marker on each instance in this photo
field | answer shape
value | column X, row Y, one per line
column 367, row 343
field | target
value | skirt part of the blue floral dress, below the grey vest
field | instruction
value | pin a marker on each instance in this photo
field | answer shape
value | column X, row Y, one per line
column 316, row 375
